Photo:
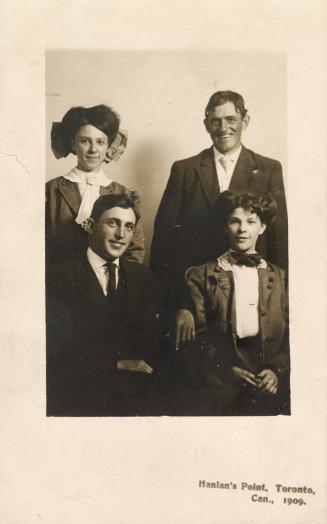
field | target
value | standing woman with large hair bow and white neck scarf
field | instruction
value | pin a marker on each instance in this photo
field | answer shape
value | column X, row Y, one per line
column 93, row 135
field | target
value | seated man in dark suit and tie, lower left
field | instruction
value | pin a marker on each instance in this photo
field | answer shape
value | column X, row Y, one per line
column 103, row 322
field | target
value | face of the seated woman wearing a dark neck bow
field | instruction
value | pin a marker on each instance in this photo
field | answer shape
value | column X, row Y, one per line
column 243, row 229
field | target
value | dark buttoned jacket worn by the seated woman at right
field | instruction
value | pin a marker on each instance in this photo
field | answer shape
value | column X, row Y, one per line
column 212, row 294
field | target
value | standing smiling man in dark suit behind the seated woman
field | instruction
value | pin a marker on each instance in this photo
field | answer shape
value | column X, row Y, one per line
column 184, row 228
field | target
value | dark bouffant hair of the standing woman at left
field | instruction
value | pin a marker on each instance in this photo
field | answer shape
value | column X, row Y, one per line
column 63, row 133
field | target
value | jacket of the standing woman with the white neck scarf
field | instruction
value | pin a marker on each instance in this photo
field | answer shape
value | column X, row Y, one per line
column 64, row 237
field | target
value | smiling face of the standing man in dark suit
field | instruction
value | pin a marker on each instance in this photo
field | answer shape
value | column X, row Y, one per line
column 225, row 125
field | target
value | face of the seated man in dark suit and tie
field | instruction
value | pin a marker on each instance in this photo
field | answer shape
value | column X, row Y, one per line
column 111, row 235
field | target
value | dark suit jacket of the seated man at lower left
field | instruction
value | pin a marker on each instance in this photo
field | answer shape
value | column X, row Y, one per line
column 87, row 334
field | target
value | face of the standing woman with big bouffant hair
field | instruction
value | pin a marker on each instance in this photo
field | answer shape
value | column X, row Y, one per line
column 90, row 145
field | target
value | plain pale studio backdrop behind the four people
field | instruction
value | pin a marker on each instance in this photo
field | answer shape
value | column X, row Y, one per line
column 160, row 97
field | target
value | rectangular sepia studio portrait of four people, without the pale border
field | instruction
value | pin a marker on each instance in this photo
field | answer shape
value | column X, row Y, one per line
column 166, row 234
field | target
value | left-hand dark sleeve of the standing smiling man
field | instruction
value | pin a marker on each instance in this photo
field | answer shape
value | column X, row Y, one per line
column 163, row 242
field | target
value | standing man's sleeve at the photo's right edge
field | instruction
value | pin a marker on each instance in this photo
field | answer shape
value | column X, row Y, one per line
column 278, row 231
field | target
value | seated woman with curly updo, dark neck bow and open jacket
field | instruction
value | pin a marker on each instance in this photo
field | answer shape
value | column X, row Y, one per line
column 239, row 362
